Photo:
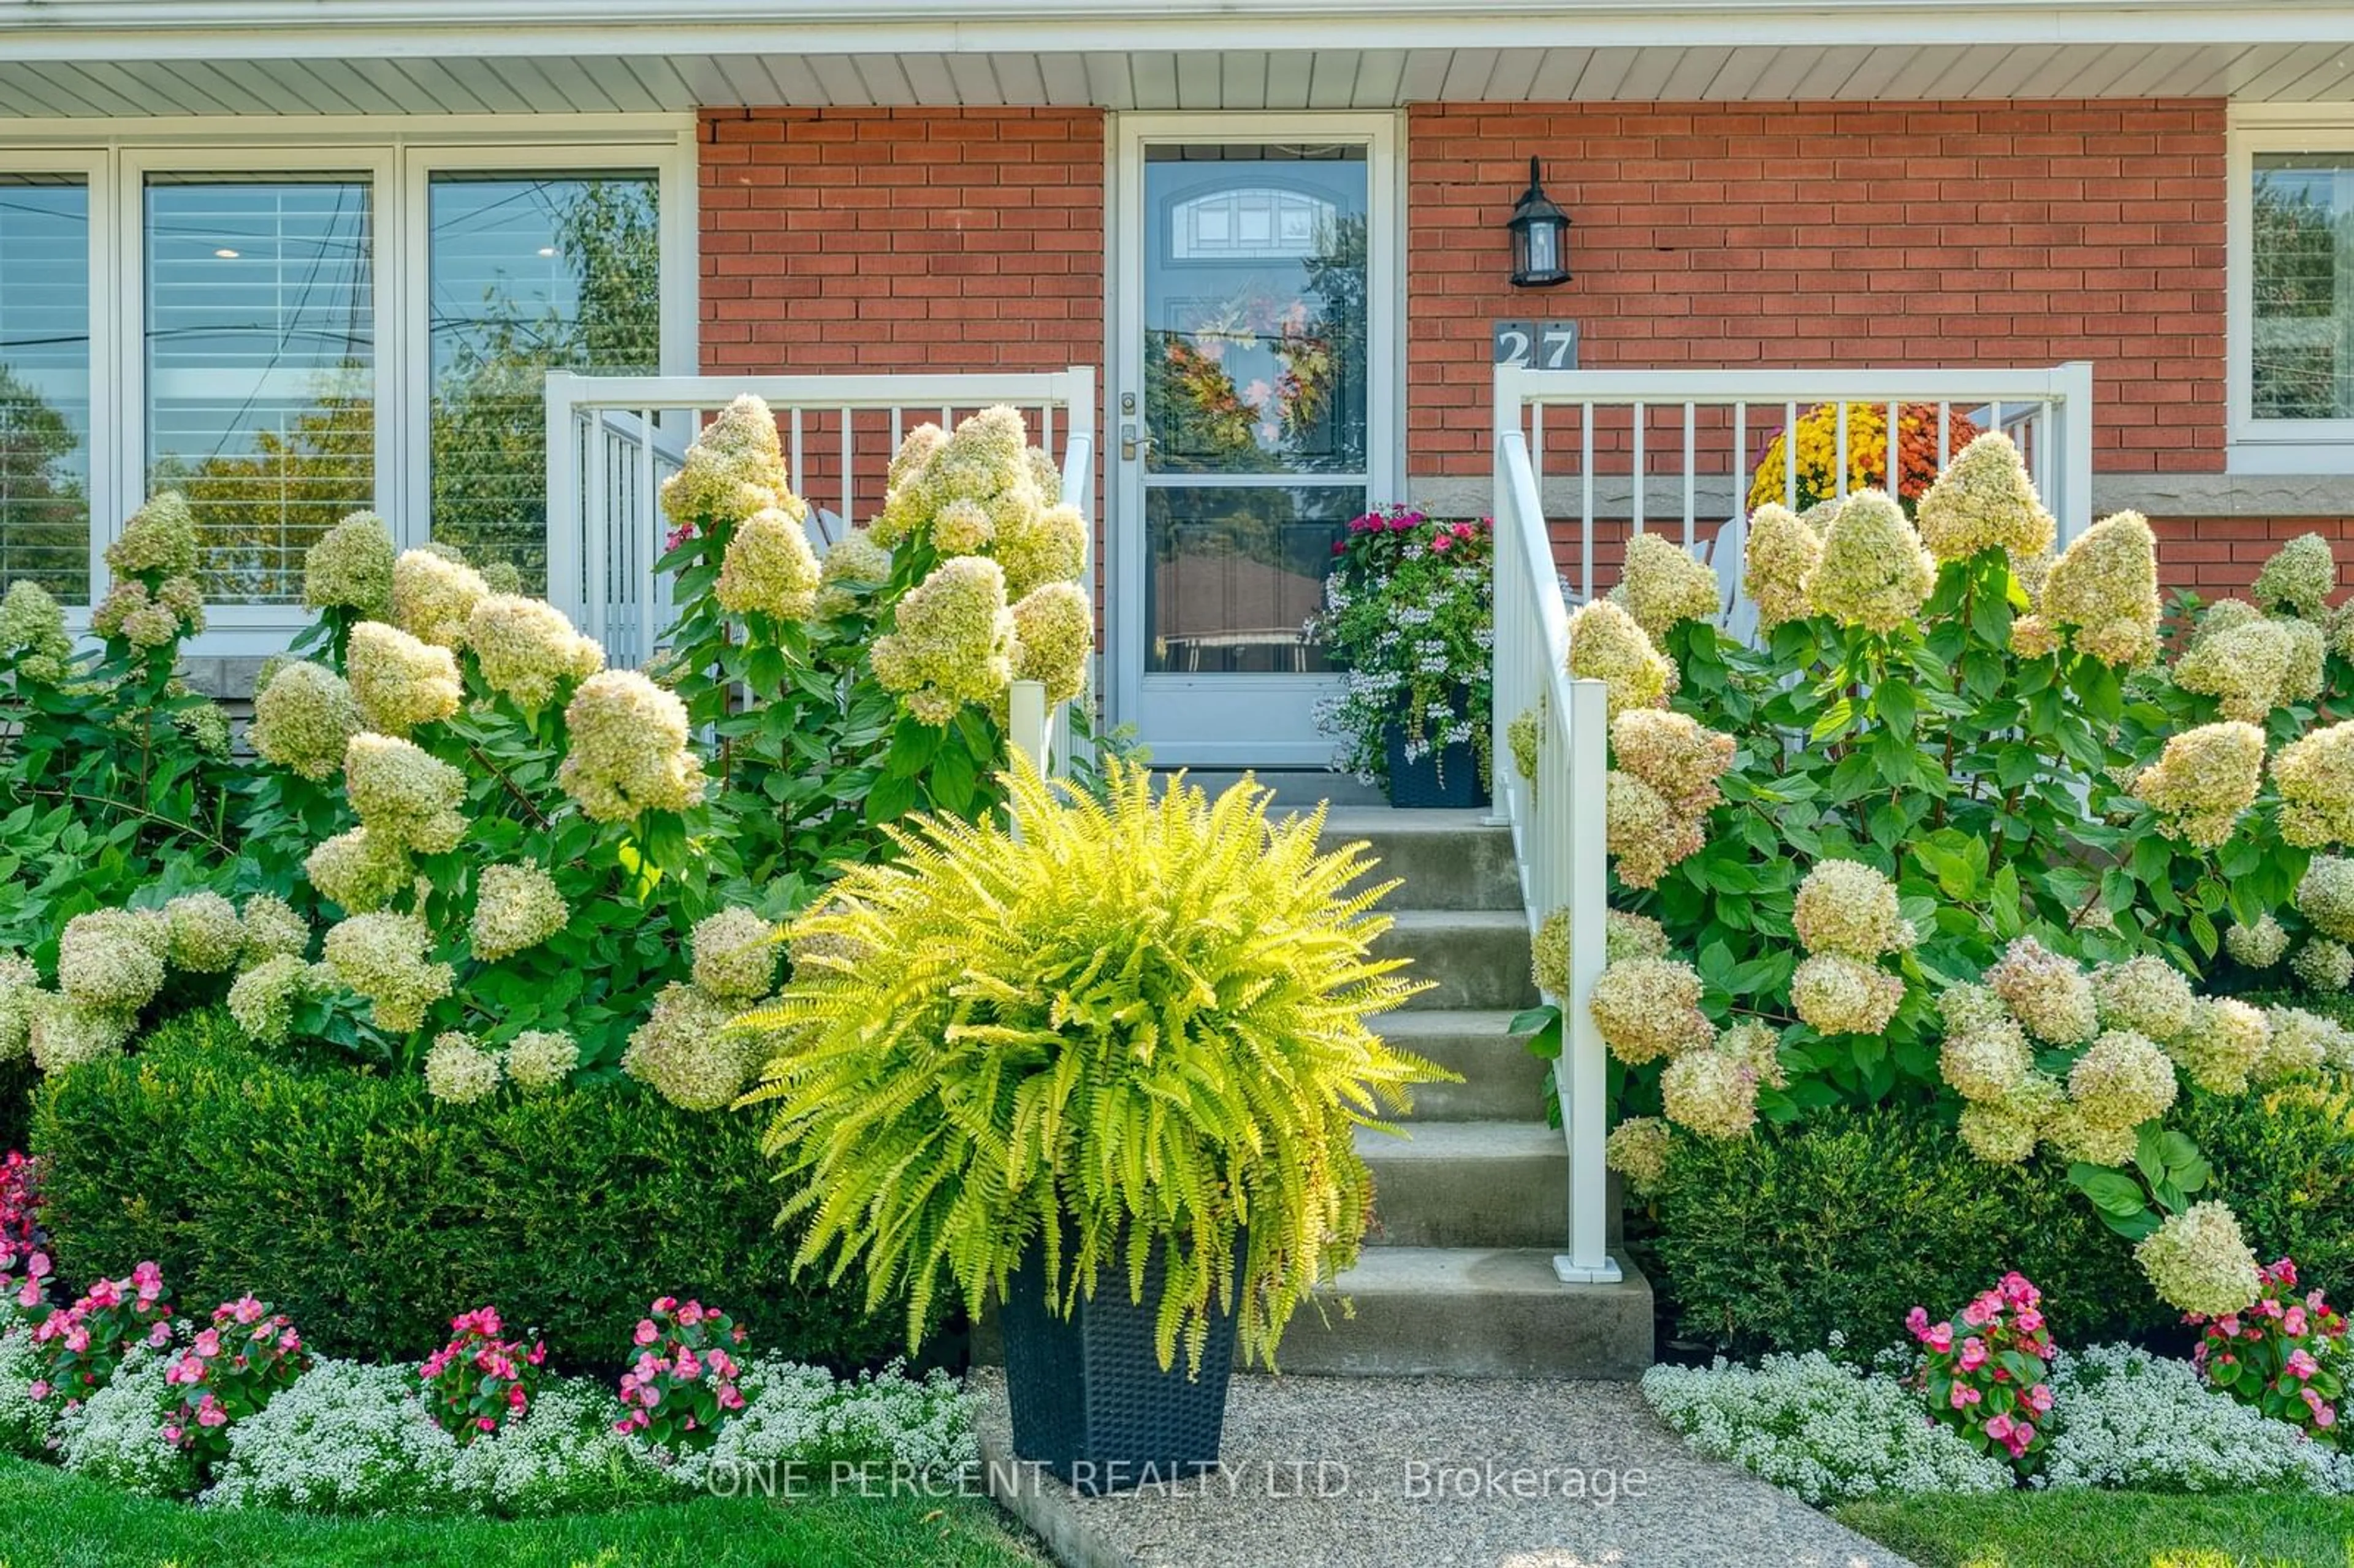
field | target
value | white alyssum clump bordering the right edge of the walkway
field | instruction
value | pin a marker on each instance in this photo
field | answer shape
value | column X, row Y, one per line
column 1818, row 1428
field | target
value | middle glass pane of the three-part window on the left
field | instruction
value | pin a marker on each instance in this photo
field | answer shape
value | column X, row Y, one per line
column 260, row 366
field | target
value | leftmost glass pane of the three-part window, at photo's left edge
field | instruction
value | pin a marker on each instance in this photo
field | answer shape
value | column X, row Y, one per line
column 46, row 385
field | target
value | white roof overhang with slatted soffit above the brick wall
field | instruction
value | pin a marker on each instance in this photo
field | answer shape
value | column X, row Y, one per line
column 274, row 58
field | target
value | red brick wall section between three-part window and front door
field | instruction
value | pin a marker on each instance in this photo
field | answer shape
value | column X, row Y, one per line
column 903, row 239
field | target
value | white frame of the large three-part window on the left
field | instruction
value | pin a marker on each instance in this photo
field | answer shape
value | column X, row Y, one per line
column 399, row 154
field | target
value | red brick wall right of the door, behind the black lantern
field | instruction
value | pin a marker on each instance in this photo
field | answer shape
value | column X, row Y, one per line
column 1837, row 234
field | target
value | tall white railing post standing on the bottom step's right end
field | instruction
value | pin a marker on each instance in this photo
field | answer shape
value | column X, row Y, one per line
column 1583, row 1077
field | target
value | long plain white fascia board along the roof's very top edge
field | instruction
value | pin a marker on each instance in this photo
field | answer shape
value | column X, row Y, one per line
column 390, row 29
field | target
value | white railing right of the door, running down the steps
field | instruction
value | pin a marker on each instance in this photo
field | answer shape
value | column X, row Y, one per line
column 1618, row 470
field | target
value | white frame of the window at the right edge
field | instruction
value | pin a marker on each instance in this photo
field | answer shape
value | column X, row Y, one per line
column 2273, row 446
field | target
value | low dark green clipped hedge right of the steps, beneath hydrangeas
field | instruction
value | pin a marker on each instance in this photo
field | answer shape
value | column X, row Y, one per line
column 1778, row 1240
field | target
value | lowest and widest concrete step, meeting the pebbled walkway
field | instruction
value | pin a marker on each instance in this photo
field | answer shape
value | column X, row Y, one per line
column 1470, row 1313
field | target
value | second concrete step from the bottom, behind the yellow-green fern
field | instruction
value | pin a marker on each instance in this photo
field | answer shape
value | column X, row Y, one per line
column 1468, row 1185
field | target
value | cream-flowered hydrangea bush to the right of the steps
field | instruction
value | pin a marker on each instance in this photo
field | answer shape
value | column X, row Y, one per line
column 1974, row 825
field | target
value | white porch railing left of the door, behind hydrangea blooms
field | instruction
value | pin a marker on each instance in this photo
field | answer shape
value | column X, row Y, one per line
column 616, row 439
